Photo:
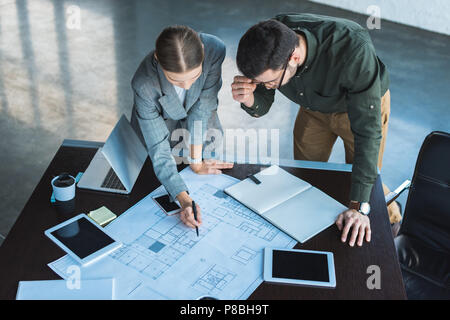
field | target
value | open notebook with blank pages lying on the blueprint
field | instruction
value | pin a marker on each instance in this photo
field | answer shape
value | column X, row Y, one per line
column 289, row 203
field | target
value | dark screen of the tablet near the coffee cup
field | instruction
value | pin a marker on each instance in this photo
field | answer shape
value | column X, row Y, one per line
column 82, row 237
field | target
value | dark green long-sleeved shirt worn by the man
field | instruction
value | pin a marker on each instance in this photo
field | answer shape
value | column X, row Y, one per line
column 341, row 73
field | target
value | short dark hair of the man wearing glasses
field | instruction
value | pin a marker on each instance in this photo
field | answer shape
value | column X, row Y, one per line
column 266, row 45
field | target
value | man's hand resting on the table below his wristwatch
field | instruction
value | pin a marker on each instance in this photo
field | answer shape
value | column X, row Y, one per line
column 359, row 223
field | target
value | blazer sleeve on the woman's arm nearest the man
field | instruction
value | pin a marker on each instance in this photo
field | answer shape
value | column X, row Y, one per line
column 200, row 112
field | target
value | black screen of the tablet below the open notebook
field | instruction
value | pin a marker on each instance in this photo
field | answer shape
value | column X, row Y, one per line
column 300, row 266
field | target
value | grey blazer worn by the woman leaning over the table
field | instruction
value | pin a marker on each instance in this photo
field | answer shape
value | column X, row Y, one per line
column 156, row 102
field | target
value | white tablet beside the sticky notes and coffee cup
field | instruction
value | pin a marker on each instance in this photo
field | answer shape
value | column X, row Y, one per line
column 82, row 239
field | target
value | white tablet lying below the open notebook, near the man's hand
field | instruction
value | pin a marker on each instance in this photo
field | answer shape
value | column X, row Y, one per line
column 300, row 267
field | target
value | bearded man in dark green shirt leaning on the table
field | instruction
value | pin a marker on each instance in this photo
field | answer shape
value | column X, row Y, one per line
column 329, row 67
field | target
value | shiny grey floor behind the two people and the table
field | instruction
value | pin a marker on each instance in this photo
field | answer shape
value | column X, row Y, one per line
column 58, row 82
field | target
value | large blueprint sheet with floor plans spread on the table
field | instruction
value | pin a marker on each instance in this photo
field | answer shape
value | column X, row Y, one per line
column 161, row 258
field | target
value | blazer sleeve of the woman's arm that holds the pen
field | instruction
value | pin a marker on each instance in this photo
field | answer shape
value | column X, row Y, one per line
column 156, row 137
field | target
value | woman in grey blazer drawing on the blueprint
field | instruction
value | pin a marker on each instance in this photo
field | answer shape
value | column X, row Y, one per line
column 176, row 87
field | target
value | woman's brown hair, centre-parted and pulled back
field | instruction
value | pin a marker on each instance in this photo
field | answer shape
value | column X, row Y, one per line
column 179, row 49
